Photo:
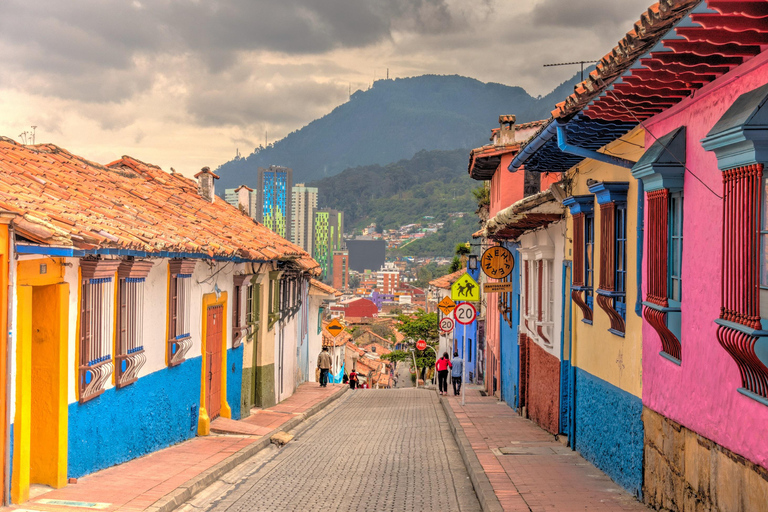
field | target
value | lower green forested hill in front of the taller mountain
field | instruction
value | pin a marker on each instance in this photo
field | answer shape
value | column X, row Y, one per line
column 432, row 183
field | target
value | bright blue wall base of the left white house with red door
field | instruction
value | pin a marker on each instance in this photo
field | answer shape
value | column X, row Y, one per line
column 154, row 412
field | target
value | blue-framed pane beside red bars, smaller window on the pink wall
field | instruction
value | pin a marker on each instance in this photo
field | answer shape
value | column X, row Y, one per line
column 675, row 261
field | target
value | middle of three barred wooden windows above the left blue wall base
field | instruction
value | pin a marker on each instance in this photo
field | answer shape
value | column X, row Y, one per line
column 129, row 345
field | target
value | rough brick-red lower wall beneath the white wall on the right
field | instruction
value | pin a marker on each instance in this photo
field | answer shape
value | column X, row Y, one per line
column 542, row 387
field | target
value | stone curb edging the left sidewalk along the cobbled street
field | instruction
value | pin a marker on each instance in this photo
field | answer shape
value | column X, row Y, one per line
column 191, row 487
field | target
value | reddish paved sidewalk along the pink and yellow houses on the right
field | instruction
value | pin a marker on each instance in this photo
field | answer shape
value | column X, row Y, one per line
column 527, row 469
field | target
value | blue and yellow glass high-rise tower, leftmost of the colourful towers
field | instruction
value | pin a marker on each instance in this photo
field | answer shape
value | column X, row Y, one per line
column 273, row 206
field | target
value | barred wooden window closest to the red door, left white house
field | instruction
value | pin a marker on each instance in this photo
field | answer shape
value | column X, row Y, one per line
column 179, row 304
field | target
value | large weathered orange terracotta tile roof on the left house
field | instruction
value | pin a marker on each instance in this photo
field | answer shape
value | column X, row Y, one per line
column 66, row 200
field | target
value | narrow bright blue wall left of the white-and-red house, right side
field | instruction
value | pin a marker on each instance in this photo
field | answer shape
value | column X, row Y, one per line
column 510, row 351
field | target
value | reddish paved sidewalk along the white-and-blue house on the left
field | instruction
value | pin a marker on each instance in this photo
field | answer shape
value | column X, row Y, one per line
column 163, row 479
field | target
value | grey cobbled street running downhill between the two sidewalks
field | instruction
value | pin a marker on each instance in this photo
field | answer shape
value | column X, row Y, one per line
column 378, row 450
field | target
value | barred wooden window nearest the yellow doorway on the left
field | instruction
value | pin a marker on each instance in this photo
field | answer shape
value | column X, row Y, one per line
column 97, row 299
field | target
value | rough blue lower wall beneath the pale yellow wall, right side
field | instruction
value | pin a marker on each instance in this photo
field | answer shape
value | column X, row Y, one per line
column 609, row 430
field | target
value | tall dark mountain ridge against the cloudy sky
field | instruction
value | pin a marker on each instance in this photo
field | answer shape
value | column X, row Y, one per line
column 393, row 120
